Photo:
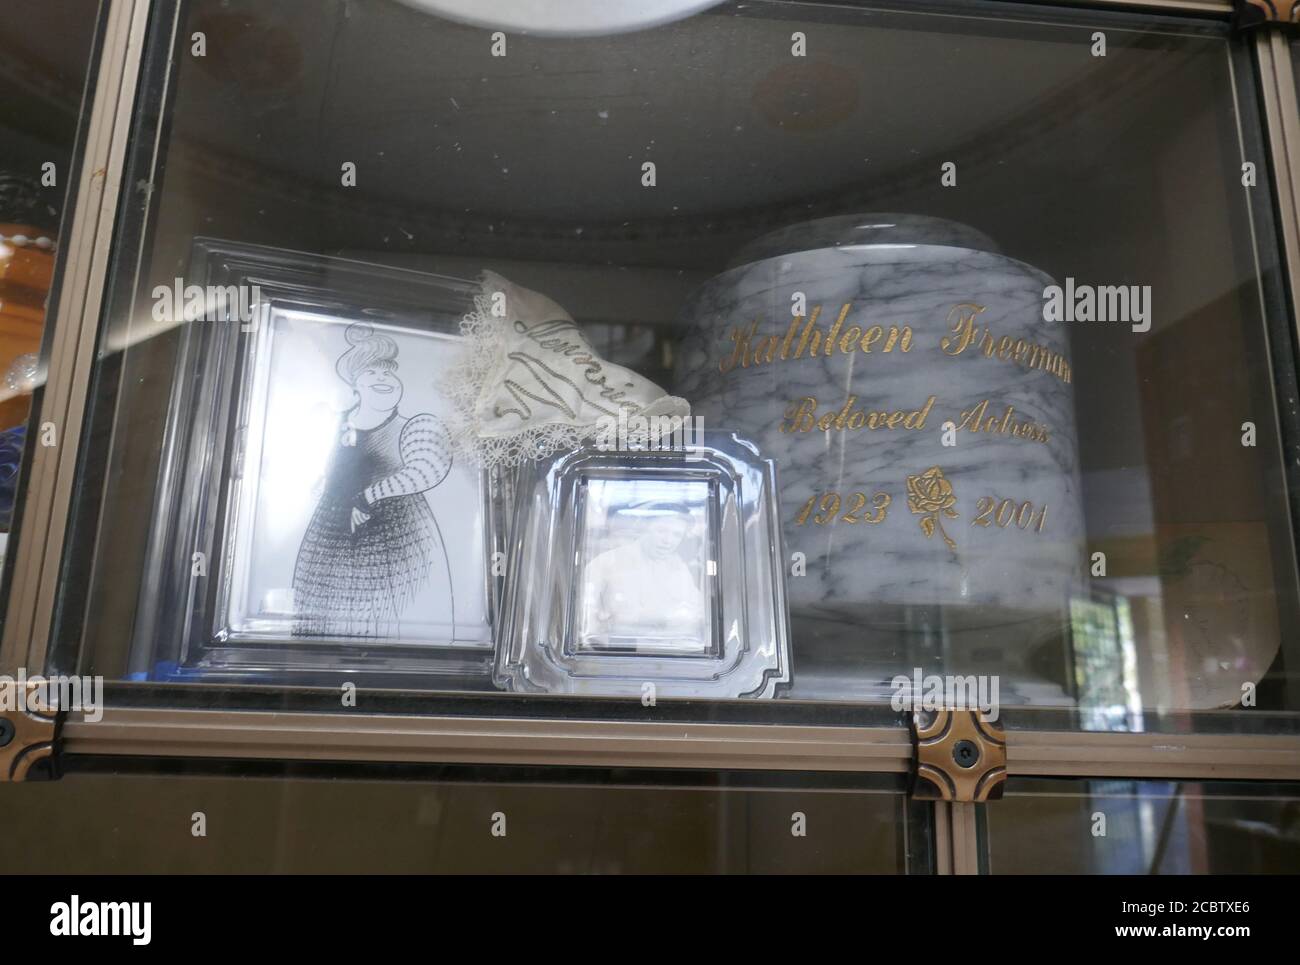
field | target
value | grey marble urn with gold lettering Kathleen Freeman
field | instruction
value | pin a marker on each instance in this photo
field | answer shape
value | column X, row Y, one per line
column 921, row 413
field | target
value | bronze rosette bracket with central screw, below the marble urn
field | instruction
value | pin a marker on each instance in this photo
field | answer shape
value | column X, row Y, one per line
column 961, row 756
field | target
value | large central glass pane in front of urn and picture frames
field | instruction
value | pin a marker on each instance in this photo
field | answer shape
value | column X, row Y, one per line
column 978, row 289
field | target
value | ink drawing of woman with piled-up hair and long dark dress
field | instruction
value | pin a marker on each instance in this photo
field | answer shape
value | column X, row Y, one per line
column 374, row 544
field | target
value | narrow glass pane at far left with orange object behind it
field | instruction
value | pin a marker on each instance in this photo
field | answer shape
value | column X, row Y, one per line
column 45, row 63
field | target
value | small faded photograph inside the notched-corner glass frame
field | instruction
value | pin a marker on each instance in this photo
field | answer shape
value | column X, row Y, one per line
column 648, row 568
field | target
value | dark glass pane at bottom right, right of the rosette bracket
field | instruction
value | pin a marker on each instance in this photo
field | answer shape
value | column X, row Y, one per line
column 1047, row 826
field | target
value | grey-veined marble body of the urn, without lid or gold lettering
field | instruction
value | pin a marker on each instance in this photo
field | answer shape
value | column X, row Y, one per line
column 859, row 565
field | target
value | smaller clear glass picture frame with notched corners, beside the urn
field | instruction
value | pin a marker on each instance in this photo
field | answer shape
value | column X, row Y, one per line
column 656, row 568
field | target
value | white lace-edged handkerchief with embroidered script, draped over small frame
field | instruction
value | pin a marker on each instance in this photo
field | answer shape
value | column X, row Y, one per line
column 532, row 384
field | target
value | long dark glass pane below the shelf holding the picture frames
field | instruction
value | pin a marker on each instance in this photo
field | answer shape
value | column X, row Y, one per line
column 300, row 821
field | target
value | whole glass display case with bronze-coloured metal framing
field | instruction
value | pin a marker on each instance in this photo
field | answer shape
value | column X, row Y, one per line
column 818, row 396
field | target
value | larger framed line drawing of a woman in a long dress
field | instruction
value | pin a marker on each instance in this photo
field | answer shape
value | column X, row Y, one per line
column 314, row 520
